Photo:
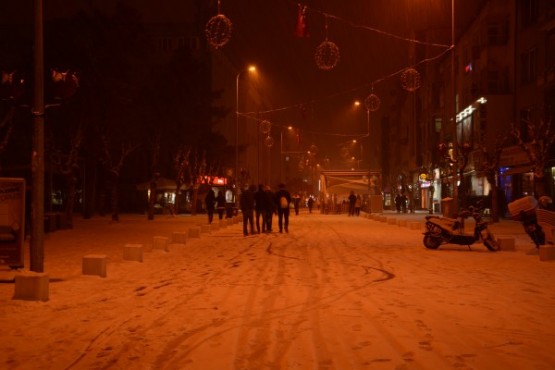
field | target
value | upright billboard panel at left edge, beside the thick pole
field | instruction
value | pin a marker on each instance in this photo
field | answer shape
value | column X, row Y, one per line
column 12, row 221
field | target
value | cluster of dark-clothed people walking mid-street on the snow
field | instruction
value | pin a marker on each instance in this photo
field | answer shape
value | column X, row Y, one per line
column 263, row 203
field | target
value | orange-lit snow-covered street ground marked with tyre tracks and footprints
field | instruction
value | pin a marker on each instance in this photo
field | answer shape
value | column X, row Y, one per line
column 336, row 292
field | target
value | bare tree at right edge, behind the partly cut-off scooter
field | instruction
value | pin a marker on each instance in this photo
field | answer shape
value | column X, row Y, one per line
column 540, row 140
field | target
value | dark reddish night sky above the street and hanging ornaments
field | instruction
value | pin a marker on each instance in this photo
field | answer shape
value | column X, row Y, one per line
column 372, row 38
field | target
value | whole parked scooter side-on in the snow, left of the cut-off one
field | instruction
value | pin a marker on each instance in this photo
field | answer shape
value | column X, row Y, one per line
column 444, row 230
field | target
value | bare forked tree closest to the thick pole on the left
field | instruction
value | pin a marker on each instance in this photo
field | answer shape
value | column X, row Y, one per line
column 67, row 164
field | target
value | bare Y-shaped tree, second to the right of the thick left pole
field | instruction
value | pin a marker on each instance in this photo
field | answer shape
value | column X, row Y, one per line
column 113, row 161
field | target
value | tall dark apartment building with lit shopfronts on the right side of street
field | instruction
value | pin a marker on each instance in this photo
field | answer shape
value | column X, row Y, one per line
column 501, row 75
